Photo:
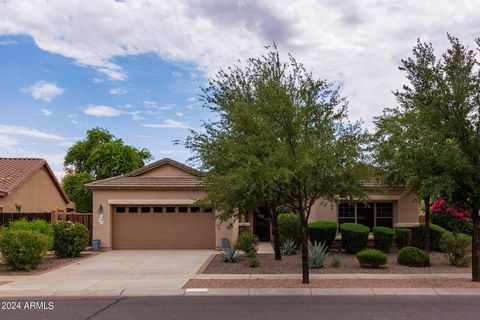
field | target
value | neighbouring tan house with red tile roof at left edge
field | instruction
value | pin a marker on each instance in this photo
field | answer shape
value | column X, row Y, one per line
column 28, row 185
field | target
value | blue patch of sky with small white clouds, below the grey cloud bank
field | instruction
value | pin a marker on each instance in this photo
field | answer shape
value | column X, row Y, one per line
column 59, row 100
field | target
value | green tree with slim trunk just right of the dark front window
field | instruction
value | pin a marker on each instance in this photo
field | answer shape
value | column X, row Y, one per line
column 407, row 148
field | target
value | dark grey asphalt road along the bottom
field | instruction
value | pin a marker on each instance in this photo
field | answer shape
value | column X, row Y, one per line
column 246, row 308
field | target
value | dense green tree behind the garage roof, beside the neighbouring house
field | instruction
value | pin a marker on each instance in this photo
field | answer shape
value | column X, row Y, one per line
column 100, row 155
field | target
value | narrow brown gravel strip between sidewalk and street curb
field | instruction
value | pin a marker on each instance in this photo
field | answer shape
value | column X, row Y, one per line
column 336, row 283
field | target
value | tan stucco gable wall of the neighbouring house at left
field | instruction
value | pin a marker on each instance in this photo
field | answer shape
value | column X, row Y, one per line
column 37, row 194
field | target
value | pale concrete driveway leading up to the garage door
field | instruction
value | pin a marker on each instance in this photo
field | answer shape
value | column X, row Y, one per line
column 113, row 273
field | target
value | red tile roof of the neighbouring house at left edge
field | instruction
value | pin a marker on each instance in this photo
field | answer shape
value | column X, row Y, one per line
column 15, row 171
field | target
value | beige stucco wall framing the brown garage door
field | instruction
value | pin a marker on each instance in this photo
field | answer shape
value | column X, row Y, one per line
column 104, row 232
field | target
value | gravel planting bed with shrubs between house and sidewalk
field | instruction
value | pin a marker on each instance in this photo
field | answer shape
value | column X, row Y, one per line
column 349, row 264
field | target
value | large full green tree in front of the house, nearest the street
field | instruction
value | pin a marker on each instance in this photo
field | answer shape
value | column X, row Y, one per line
column 279, row 135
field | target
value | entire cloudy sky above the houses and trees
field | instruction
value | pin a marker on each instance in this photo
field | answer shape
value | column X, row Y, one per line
column 135, row 67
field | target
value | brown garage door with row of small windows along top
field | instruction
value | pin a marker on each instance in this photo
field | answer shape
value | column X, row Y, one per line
column 168, row 227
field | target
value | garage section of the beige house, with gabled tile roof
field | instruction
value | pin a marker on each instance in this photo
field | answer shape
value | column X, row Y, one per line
column 154, row 207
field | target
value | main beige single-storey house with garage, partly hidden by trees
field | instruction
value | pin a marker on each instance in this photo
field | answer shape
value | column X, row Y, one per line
column 153, row 208
